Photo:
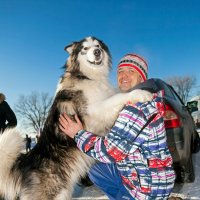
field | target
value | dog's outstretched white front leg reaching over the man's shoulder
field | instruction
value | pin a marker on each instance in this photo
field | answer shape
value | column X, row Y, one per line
column 103, row 114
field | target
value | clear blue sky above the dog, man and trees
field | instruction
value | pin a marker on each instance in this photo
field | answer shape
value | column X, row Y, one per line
column 33, row 35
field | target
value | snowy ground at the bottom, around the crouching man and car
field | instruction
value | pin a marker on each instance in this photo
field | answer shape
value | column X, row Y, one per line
column 187, row 191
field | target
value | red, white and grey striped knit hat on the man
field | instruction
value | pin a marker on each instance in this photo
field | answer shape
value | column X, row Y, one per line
column 136, row 62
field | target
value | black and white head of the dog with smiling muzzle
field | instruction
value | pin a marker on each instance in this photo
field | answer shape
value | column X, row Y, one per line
column 89, row 56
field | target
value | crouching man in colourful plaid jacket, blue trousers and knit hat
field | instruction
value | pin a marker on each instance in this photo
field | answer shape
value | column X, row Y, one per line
column 135, row 162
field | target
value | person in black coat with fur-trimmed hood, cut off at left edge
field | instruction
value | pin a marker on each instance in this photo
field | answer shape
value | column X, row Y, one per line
column 7, row 116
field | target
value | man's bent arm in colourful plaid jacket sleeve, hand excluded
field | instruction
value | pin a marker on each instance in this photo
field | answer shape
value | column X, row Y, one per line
column 122, row 138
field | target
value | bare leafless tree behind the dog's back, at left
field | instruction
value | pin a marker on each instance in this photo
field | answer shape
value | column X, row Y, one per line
column 33, row 109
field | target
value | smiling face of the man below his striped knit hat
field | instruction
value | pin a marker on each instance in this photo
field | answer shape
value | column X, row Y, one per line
column 128, row 78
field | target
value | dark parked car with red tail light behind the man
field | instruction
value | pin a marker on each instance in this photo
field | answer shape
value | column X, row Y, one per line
column 180, row 129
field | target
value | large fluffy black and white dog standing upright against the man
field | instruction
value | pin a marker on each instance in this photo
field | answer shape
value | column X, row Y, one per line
column 51, row 169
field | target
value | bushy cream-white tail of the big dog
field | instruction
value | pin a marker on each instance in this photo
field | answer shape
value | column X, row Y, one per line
column 11, row 145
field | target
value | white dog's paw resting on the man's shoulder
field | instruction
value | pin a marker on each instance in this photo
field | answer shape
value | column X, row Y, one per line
column 140, row 96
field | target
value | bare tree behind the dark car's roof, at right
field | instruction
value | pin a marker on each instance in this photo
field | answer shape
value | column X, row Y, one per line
column 182, row 85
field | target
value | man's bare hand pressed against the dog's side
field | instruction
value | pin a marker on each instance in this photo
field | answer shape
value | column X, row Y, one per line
column 68, row 126
